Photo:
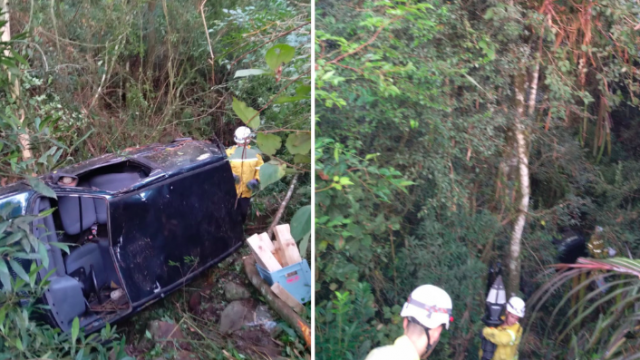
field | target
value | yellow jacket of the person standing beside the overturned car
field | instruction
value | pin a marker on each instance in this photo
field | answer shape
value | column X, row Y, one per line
column 246, row 166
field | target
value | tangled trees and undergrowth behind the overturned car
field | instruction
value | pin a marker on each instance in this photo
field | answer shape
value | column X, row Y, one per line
column 100, row 77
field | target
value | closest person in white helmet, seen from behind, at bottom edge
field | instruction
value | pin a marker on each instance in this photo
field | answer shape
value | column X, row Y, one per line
column 427, row 311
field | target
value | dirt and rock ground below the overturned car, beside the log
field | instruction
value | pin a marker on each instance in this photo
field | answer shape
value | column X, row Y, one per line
column 219, row 315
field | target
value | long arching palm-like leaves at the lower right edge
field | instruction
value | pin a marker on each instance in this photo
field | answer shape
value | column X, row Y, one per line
column 614, row 310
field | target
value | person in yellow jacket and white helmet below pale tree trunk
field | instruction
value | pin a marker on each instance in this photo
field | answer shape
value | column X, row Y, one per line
column 508, row 335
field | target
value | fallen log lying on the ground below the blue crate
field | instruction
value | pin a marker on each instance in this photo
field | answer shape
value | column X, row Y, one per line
column 294, row 320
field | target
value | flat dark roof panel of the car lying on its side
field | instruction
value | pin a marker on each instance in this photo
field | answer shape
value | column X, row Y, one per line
column 173, row 229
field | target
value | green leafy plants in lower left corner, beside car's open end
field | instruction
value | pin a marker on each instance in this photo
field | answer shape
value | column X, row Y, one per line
column 22, row 334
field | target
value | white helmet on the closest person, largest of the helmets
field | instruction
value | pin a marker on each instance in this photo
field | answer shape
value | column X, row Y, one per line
column 430, row 305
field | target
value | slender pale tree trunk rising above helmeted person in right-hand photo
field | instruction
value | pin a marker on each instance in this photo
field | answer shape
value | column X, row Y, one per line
column 521, row 137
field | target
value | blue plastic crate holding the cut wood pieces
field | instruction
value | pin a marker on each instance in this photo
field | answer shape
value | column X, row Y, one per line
column 296, row 279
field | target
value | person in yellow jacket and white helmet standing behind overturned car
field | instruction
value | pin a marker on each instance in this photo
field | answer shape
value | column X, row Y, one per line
column 245, row 165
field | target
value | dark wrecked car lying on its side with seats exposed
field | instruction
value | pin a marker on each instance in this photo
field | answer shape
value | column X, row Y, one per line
column 145, row 222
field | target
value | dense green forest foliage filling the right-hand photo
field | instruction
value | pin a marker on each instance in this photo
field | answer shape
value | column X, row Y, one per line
column 416, row 180
